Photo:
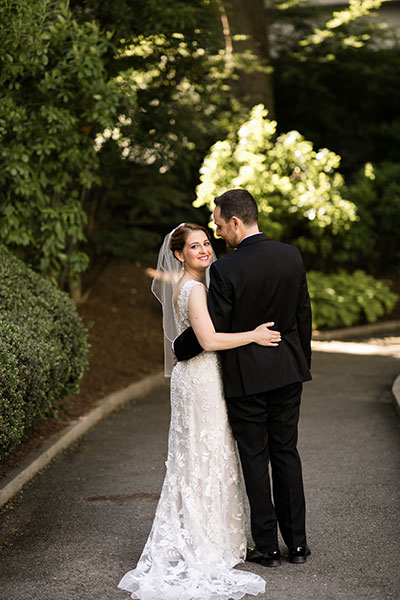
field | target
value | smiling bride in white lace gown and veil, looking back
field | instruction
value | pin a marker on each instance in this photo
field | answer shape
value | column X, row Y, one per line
column 199, row 530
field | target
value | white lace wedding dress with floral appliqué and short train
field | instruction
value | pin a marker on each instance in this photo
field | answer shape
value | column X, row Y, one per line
column 199, row 530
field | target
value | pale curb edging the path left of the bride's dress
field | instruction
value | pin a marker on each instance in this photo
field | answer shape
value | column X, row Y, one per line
column 60, row 441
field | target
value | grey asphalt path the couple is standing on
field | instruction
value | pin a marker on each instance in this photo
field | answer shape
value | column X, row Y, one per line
column 81, row 524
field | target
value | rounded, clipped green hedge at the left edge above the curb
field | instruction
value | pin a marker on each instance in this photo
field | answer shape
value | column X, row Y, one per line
column 43, row 349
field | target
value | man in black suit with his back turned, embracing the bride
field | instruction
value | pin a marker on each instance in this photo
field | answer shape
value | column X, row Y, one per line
column 263, row 280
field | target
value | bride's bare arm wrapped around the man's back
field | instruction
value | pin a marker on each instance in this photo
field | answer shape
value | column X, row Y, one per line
column 209, row 339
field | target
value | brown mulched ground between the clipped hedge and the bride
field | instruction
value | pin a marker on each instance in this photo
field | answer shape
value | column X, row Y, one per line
column 126, row 345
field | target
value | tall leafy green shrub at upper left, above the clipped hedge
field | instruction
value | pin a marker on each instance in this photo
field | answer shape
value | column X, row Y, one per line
column 53, row 92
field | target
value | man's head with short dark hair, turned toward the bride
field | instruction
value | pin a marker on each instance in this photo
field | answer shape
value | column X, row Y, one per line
column 235, row 216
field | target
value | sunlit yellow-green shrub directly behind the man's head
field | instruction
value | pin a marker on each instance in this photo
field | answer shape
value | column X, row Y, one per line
column 298, row 189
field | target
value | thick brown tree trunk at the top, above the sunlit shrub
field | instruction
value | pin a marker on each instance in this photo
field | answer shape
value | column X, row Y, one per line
column 249, row 18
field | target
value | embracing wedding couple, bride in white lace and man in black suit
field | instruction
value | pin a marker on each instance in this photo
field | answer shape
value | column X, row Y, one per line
column 251, row 388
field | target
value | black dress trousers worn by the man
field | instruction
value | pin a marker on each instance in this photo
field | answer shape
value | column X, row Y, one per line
column 265, row 428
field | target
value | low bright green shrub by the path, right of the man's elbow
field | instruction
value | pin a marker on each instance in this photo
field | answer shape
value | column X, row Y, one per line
column 345, row 299
